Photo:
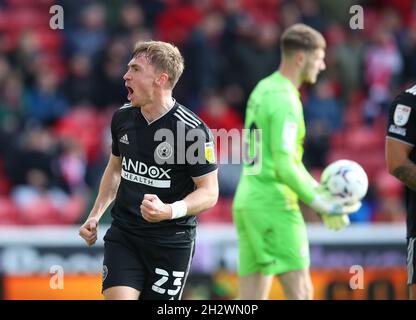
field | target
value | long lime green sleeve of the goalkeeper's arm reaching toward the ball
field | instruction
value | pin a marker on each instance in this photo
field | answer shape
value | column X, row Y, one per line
column 284, row 145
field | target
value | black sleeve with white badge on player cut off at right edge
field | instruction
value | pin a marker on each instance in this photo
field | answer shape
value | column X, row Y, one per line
column 402, row 119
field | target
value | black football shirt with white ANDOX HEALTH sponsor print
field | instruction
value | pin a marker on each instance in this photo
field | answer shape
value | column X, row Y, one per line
column 160, row 157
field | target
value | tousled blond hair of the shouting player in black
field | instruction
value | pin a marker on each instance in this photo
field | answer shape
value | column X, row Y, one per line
column 164, row 56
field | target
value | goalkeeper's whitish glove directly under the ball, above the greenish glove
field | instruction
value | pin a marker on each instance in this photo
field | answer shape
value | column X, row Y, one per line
column 327, row 206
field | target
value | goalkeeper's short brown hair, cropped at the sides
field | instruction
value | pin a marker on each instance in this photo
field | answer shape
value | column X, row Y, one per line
column 300, row 37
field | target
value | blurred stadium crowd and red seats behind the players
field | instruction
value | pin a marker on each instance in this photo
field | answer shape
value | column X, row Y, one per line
column 59, row 88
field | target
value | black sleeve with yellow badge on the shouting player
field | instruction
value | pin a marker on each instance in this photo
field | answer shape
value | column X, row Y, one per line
column 200, row 152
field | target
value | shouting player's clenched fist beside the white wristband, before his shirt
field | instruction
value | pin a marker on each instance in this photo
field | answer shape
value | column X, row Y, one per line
column 154, row 210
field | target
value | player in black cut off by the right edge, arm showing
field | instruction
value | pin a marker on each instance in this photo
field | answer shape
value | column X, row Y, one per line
column 401, row 162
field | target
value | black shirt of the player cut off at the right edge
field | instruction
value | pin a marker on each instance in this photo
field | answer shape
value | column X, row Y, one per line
column 402, row 127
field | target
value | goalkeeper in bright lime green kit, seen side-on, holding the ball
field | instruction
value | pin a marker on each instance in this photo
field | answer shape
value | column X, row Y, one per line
column 271, row 230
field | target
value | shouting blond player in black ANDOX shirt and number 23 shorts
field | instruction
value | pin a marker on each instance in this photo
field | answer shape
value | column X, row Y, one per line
column 161, row 173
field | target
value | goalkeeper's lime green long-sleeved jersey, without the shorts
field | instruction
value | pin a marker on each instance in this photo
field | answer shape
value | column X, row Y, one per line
column 274, row 176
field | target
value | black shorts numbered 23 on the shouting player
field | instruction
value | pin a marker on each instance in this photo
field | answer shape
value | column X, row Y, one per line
column 158, row 272
